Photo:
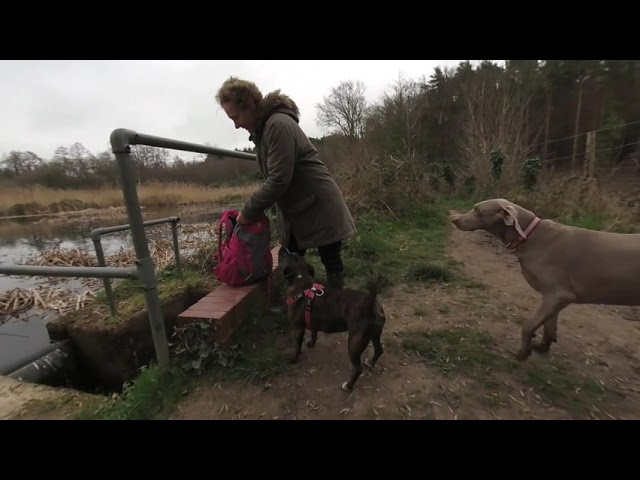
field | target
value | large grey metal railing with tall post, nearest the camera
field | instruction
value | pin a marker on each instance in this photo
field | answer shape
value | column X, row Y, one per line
column 121, row 140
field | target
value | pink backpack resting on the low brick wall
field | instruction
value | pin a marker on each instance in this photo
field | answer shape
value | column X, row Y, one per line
column 244, row 252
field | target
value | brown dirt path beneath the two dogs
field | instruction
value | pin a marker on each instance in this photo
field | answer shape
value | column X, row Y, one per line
column 592, row 372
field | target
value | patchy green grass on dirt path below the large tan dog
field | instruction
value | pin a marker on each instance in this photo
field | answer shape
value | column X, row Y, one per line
column 472, row 352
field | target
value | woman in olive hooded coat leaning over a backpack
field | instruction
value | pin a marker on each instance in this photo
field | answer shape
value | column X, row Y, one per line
column 312, row 212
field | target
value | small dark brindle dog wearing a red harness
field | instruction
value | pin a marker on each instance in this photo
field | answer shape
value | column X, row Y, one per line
column 331, row 310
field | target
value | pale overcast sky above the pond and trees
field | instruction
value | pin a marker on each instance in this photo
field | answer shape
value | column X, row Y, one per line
column 50, row 103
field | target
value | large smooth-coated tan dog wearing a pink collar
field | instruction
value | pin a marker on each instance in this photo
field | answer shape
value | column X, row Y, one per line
column 565, row 264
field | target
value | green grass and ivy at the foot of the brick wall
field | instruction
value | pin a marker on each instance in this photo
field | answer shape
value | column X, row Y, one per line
column 255, row 358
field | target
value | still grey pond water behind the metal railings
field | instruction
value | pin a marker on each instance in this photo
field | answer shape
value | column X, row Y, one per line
column 23, row 336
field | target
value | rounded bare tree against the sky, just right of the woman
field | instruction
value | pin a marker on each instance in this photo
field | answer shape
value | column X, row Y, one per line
column 344, row 109
